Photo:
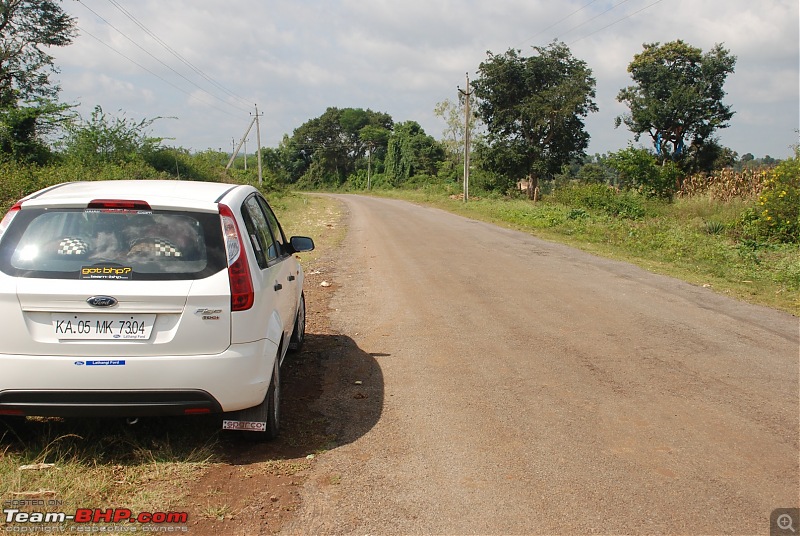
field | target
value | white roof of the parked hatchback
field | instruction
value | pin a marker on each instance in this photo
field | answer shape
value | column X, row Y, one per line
column 162, row 194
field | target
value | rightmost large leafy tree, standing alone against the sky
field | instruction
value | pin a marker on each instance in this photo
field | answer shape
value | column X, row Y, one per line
column 677, row 98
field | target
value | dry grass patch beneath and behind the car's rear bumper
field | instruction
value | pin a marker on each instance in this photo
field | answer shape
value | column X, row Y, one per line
column 103, row 463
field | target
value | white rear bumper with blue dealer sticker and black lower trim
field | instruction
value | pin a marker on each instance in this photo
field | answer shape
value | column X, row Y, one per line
column 137, row 386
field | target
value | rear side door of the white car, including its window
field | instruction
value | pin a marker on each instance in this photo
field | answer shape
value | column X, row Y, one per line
column 273, row 269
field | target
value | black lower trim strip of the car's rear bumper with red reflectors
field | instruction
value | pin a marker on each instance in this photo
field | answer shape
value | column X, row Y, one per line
column 107, row 403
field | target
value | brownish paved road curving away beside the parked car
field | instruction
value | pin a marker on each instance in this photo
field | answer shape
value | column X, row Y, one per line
column 514, row 386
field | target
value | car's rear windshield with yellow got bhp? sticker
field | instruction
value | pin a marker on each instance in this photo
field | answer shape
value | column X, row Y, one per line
column 112, row 244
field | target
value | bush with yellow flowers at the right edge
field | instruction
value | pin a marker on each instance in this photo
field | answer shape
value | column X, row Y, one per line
column 779, row 202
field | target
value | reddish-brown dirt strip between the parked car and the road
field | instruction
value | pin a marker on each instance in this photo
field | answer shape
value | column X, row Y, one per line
column 255, row 488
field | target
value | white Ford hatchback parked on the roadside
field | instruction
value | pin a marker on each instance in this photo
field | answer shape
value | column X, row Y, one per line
column 143, row 298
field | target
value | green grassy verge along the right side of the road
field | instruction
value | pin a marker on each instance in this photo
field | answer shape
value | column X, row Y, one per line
column 698, row 240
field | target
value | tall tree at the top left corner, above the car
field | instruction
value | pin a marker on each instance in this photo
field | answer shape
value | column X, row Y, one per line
column 27, row 95
